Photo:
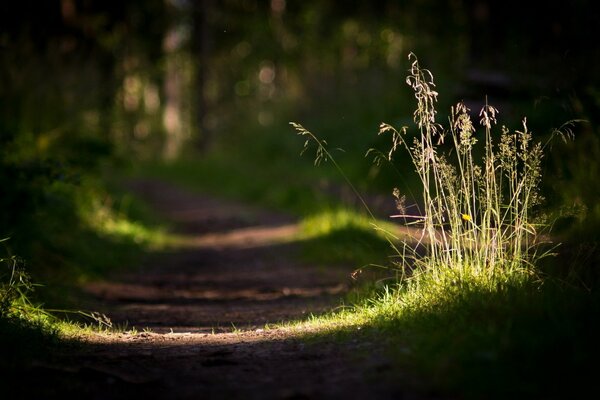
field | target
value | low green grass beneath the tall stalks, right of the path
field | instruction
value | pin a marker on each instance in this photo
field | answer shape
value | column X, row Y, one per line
column 524, row 341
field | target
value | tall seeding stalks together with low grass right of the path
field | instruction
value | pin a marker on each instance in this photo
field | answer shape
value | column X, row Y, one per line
column 474, row 314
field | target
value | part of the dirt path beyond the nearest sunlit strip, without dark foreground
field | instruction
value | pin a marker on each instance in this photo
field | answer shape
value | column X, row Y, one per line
column 236, row 269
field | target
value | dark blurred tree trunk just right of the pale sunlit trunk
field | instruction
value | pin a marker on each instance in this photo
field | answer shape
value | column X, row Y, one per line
column 202, row 12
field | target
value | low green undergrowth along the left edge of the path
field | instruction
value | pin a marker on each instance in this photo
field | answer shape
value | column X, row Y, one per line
column 89, row 233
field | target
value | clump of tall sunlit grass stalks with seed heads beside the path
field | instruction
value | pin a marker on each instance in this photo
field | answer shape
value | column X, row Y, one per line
column 477, row 219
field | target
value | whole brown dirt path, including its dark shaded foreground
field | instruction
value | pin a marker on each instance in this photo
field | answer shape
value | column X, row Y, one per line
column 238, row 269
